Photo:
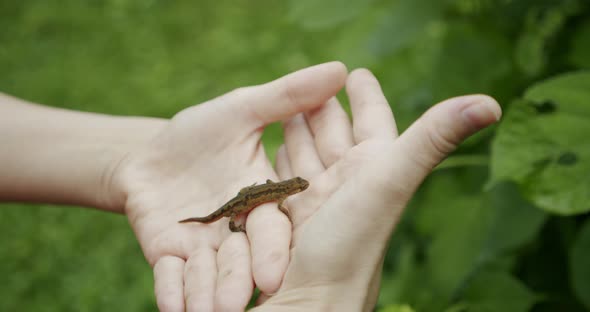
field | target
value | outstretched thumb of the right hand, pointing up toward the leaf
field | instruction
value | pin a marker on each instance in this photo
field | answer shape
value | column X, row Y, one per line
column 394, row 175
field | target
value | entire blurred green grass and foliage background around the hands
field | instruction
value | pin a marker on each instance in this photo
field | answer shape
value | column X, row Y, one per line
column 502, row 225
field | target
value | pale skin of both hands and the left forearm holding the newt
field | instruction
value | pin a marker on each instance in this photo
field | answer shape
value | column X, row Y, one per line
column 159, row 172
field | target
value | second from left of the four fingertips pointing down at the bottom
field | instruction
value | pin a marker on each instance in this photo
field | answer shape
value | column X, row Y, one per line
column 200, row 274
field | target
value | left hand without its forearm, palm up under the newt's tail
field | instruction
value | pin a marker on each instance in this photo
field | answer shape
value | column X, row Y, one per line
column 199, row 161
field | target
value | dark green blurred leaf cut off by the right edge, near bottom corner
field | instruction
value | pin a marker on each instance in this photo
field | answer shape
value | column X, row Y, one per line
column 580, row 265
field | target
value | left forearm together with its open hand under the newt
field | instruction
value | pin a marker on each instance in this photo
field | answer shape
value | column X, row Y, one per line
column 158, row 172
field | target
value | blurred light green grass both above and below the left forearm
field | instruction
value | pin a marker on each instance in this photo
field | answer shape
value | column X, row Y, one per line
column 150, row 58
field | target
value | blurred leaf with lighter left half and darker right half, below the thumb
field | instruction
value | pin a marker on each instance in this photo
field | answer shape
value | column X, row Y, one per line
column 480, row 233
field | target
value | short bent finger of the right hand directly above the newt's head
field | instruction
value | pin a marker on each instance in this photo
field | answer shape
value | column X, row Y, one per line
column 305, row 161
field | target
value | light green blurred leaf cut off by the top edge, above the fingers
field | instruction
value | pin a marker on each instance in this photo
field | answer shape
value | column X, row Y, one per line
column 316, row 15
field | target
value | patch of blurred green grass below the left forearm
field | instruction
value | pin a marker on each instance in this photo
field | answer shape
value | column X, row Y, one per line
column 71, row 259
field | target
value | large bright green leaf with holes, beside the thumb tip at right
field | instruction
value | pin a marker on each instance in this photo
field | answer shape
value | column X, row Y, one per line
column 543, row 145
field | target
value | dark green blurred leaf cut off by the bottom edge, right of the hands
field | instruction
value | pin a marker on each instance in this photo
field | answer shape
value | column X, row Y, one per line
column 497, row 291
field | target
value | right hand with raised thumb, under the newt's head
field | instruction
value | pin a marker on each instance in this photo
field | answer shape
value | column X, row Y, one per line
column 361, row 178
